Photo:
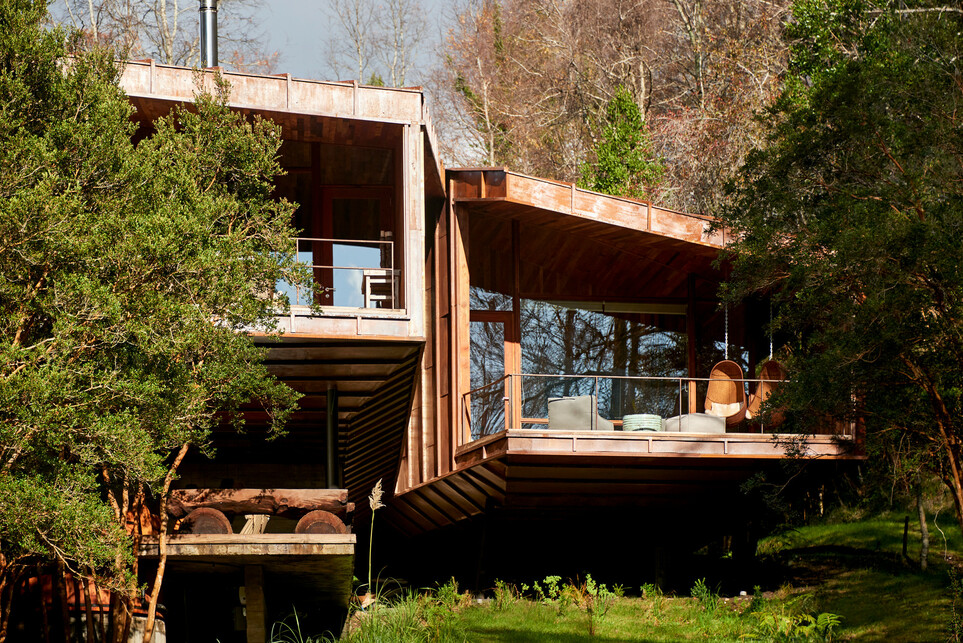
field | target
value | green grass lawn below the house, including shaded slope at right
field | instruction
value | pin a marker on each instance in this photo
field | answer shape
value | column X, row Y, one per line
column 855, row 570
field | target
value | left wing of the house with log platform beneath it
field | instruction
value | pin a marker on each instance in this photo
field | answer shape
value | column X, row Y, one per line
column 268, row 521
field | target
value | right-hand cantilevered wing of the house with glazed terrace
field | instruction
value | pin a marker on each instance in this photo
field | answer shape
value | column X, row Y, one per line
column 511, row 239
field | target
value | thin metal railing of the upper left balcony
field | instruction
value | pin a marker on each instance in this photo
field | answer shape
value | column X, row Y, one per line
column 348, row 273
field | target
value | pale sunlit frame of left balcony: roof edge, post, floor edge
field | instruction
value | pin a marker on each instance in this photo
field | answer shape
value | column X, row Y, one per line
column 349, row 117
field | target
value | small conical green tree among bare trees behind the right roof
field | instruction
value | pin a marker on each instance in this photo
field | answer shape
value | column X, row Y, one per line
column 624, row 163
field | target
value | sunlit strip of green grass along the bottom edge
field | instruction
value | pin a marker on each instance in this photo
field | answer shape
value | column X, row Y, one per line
column 444, row 615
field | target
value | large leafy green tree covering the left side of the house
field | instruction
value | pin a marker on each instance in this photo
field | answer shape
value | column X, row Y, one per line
column 129, row 274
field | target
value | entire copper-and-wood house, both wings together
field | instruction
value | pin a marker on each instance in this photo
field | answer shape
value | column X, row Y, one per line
column 509, row 355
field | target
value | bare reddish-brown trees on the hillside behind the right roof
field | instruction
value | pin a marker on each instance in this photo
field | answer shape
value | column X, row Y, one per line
column 528, row 82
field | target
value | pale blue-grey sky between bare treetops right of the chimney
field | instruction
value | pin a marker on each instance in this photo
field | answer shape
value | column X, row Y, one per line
column 296, row 30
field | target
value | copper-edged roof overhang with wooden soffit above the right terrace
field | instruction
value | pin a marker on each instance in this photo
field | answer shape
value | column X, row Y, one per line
column 574, row 241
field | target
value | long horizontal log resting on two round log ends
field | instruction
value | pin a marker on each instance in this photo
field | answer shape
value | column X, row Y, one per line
column 279, row 502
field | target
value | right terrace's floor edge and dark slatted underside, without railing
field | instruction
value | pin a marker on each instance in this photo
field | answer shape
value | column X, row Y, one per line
column 532, row 472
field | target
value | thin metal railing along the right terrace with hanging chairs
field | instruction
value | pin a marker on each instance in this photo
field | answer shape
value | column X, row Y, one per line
column 520, row 401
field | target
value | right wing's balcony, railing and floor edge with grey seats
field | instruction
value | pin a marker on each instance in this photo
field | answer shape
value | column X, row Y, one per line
column 644, row 416
